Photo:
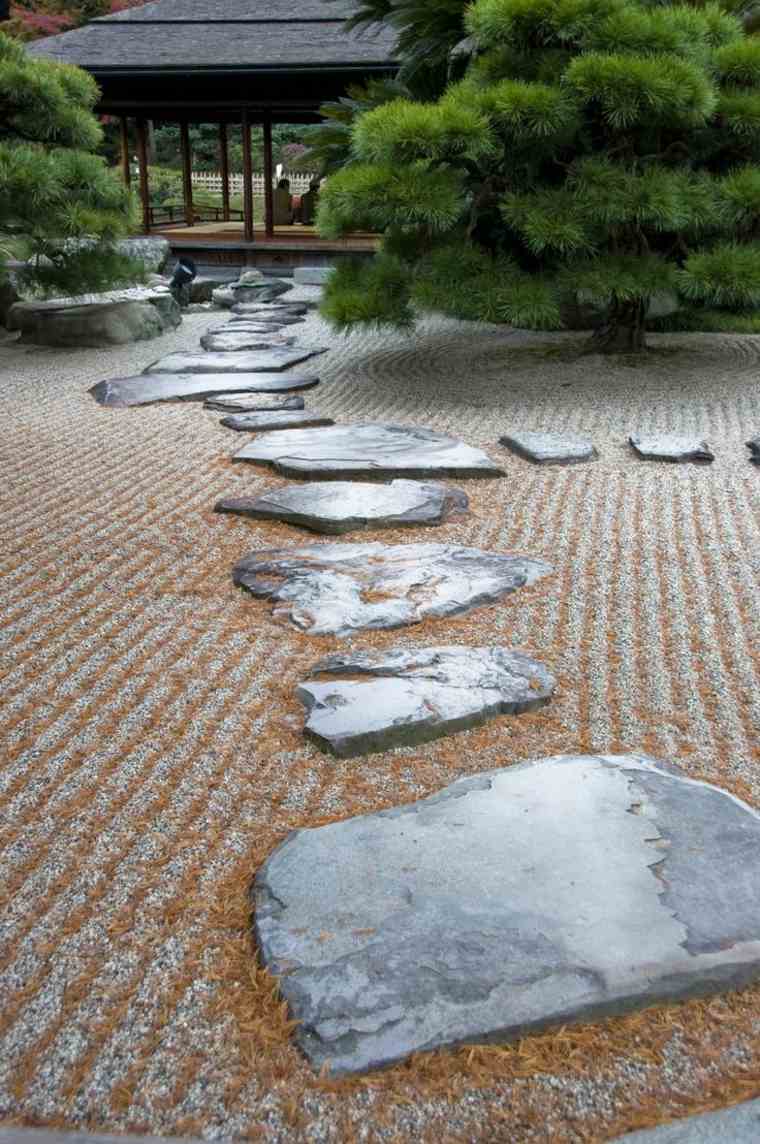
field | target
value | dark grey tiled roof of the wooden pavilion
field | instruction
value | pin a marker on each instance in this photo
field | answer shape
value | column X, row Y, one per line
column 249, row 35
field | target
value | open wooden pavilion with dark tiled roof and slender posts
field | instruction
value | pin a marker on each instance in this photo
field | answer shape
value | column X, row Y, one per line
column 246, row 62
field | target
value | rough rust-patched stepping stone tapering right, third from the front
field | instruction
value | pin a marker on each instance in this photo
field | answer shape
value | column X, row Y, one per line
column 339, row 589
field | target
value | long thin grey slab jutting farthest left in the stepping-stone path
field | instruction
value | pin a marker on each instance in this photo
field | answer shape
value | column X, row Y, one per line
column 145, row 390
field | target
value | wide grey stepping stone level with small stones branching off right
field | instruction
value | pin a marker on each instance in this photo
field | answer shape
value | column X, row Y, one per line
column 369, row 450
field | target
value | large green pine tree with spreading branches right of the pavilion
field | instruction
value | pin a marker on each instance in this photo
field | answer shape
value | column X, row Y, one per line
column 603, row 150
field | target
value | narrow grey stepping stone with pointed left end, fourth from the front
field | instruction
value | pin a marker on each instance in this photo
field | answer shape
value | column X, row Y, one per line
column 337, row 507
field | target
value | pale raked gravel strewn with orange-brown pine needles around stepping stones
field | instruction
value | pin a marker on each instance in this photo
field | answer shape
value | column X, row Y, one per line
column 153, row 749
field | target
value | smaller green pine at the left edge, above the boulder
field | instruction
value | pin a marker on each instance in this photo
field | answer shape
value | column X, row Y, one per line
column 53, row 187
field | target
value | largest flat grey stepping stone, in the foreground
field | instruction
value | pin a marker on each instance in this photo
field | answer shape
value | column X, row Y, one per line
column 547, row 893
